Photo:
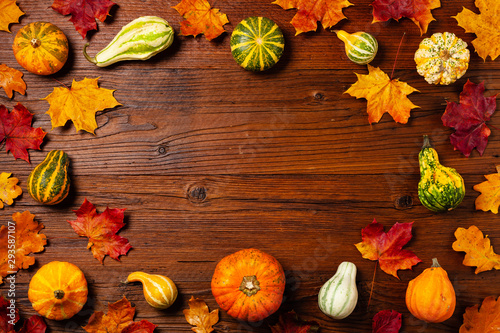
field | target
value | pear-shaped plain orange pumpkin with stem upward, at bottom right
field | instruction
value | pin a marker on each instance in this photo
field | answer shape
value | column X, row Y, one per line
column 430, row 296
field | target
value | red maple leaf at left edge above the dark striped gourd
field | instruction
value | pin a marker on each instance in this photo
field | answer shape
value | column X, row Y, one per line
column 16, row 130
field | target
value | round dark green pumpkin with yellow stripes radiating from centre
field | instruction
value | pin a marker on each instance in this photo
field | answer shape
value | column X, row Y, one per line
column 257, row 43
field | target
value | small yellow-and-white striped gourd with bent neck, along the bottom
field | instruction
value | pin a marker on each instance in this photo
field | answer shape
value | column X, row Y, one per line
column 160, row 292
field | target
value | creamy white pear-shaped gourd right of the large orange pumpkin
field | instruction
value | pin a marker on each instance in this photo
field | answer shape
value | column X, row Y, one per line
column 338, row 297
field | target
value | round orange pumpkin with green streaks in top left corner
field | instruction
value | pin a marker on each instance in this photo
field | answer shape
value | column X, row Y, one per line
column 41, row 48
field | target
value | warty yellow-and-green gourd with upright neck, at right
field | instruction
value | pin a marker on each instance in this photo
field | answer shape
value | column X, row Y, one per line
column 440, row 188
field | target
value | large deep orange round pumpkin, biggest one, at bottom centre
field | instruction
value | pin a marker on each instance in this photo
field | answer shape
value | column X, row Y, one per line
column 249, row 285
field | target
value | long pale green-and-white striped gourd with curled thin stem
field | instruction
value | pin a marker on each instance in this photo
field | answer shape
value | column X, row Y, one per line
column 141, row 39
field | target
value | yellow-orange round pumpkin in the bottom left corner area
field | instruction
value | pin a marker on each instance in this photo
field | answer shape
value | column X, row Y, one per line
column 58, row 290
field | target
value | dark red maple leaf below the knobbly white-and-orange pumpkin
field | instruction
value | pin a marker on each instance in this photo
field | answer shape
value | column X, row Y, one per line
column 469, row 118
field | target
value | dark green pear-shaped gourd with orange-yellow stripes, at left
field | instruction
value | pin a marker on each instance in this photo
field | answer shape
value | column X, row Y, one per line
column 49, row 183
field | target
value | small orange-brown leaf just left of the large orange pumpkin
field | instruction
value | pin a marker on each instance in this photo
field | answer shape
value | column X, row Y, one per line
column 198, row 315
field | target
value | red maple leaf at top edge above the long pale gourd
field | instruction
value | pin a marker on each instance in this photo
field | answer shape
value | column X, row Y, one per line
column 84, row 12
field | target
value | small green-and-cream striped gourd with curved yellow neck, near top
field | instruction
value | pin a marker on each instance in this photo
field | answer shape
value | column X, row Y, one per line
column 360, row 47
